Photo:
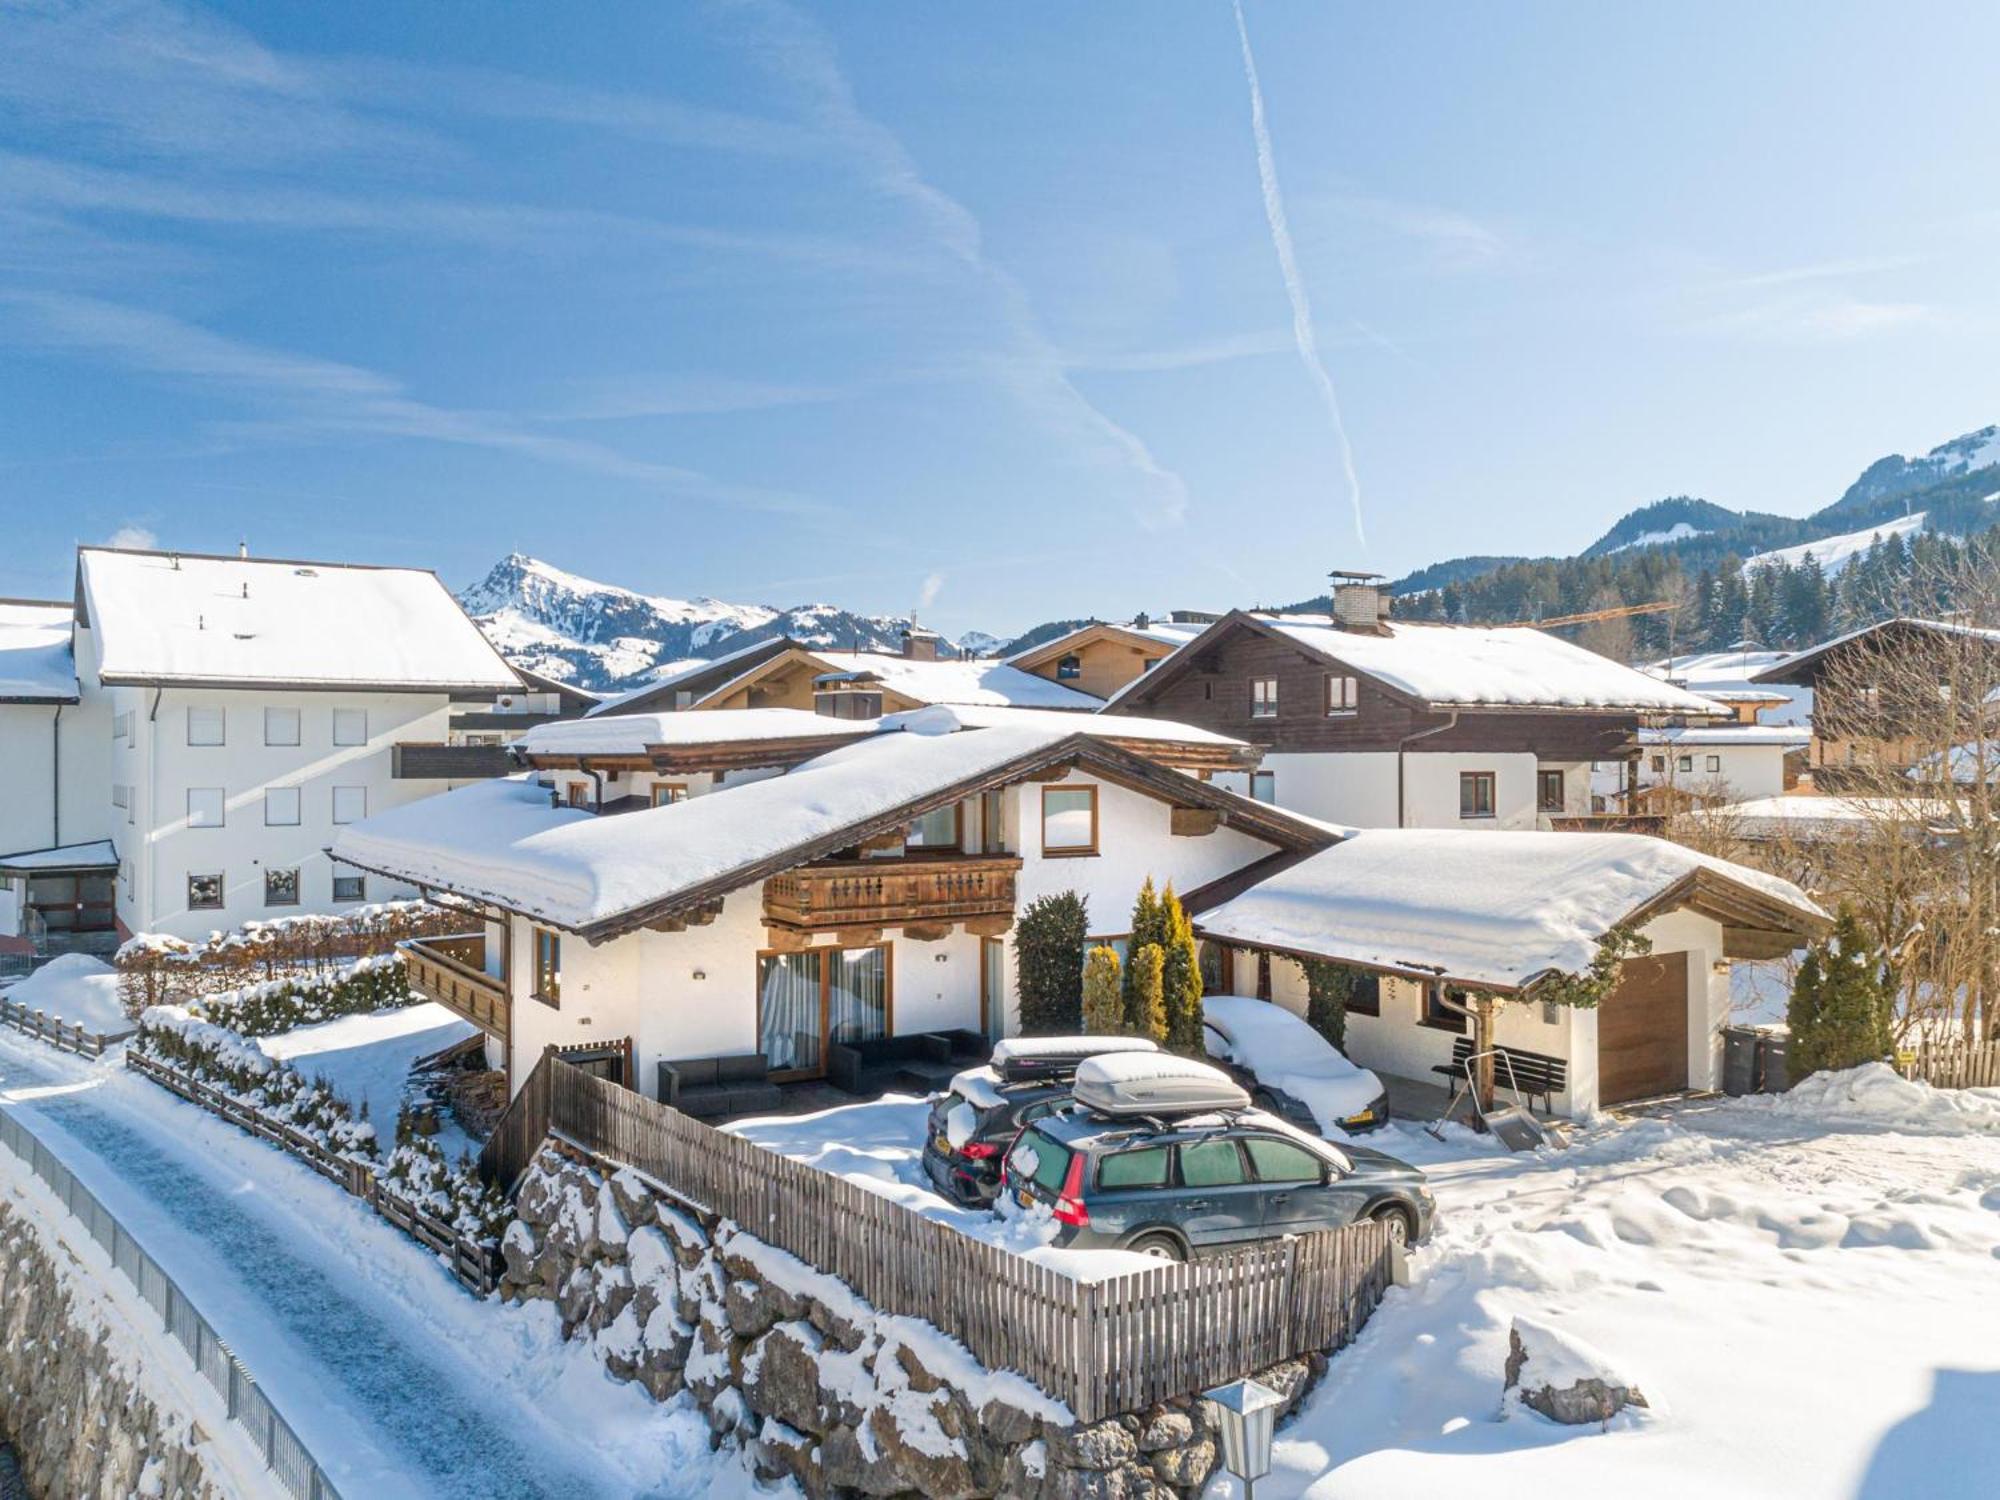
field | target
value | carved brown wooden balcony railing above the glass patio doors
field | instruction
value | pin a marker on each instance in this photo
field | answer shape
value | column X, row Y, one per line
column 887, row 893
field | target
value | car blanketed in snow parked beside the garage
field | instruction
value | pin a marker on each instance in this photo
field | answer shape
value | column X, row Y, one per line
column 1299, row 1075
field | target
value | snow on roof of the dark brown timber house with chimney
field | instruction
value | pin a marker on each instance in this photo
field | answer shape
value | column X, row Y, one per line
column 1493, row 667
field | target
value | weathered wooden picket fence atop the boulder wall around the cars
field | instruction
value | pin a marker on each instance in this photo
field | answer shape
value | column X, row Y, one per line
column 1099, row 1347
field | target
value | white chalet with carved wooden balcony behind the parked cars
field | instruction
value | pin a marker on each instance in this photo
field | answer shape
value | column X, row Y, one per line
column 803, row 895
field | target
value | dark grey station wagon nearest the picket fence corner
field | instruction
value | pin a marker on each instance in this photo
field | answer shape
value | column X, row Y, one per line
column 1207, row 1183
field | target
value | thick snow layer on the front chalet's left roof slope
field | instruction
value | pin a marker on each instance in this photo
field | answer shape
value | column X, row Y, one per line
column 503, row 843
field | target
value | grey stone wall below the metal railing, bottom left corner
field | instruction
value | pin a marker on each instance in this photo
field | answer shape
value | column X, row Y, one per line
column 75, row 1411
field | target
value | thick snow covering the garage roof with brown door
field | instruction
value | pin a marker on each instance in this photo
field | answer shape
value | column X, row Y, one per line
column 1485, row 909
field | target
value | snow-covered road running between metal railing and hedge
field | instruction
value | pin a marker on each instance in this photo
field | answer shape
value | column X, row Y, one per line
column 397, row 1381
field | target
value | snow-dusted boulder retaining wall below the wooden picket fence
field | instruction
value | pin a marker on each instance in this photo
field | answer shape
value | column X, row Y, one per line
column 805, row 1377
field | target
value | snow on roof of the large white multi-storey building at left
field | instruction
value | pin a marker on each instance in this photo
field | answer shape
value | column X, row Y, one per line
column 255, row 621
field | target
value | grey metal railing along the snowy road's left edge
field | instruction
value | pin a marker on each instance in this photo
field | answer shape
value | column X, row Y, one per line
column 247, row 1403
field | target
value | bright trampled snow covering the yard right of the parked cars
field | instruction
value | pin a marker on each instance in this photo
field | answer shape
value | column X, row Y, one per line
column 1807, row 1289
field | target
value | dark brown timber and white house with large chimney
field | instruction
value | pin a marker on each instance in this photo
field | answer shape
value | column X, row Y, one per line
column 1385, row 725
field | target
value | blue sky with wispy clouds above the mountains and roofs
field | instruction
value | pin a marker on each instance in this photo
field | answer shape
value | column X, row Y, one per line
column 973, row 307
